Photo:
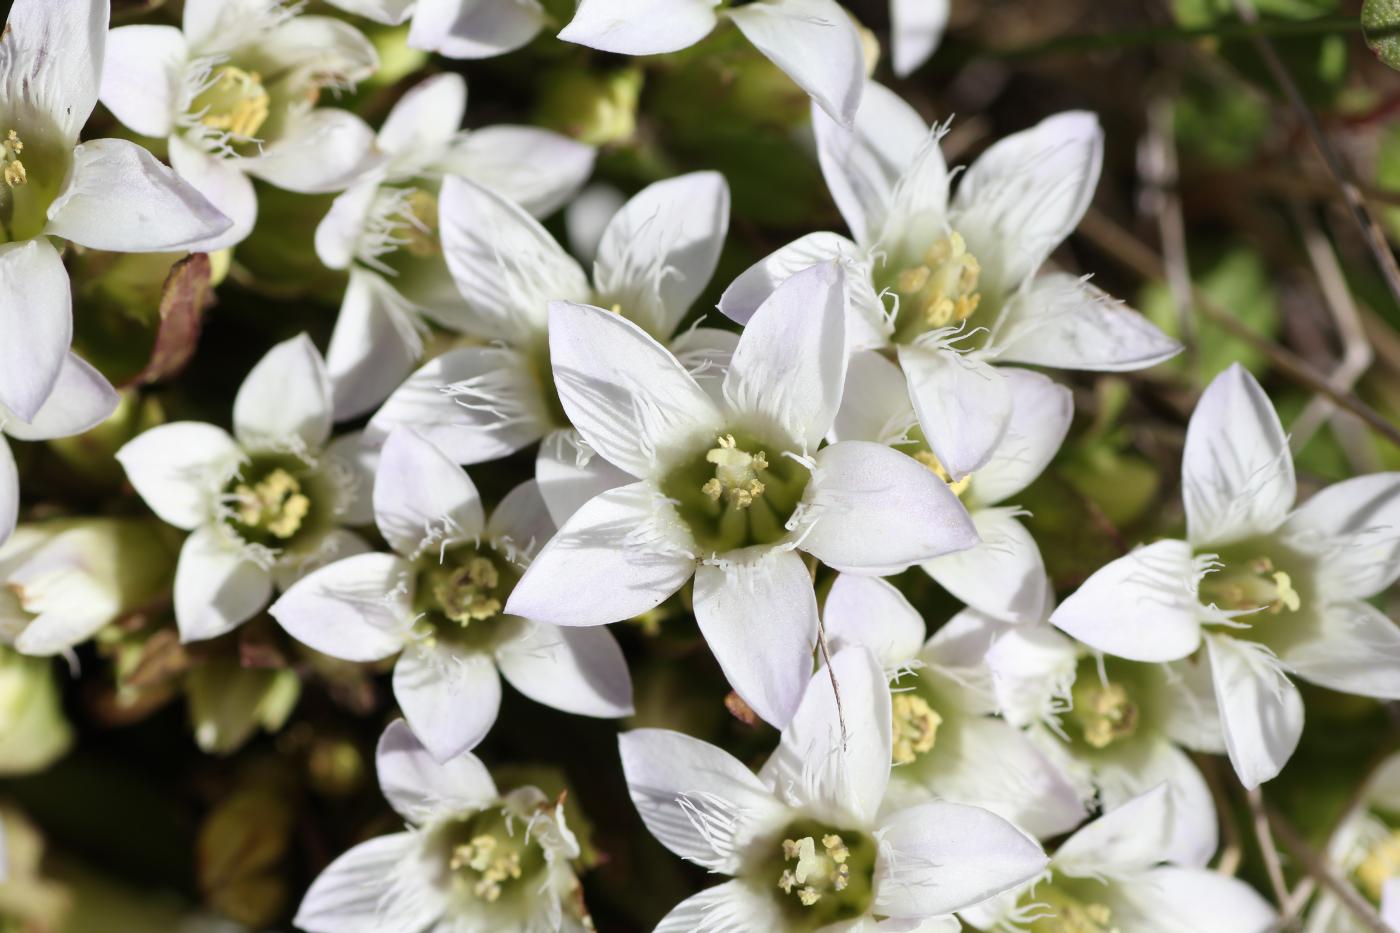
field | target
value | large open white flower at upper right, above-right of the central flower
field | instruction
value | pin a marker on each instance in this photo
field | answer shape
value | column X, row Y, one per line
column 962, row 275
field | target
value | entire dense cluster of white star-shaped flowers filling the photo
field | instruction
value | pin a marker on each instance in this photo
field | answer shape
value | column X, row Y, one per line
column 530, row 455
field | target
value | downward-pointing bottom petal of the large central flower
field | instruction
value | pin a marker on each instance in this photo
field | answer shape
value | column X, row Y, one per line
column 759, row 618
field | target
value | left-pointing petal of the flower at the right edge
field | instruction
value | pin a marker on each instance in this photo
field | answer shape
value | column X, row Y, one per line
column 1142, row 607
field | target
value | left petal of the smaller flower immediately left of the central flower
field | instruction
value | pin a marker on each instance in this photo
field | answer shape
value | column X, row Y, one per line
column 358, row 610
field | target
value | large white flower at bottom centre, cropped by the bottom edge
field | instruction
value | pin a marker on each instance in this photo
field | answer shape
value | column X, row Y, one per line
column 803, row 840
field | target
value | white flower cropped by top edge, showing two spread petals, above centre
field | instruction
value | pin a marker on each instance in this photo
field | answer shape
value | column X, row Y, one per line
column 814, row 41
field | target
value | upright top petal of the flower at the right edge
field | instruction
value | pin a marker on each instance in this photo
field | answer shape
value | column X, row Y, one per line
column 1237, row 471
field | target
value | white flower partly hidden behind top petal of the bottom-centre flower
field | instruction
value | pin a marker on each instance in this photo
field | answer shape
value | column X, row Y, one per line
column 947, row 742
